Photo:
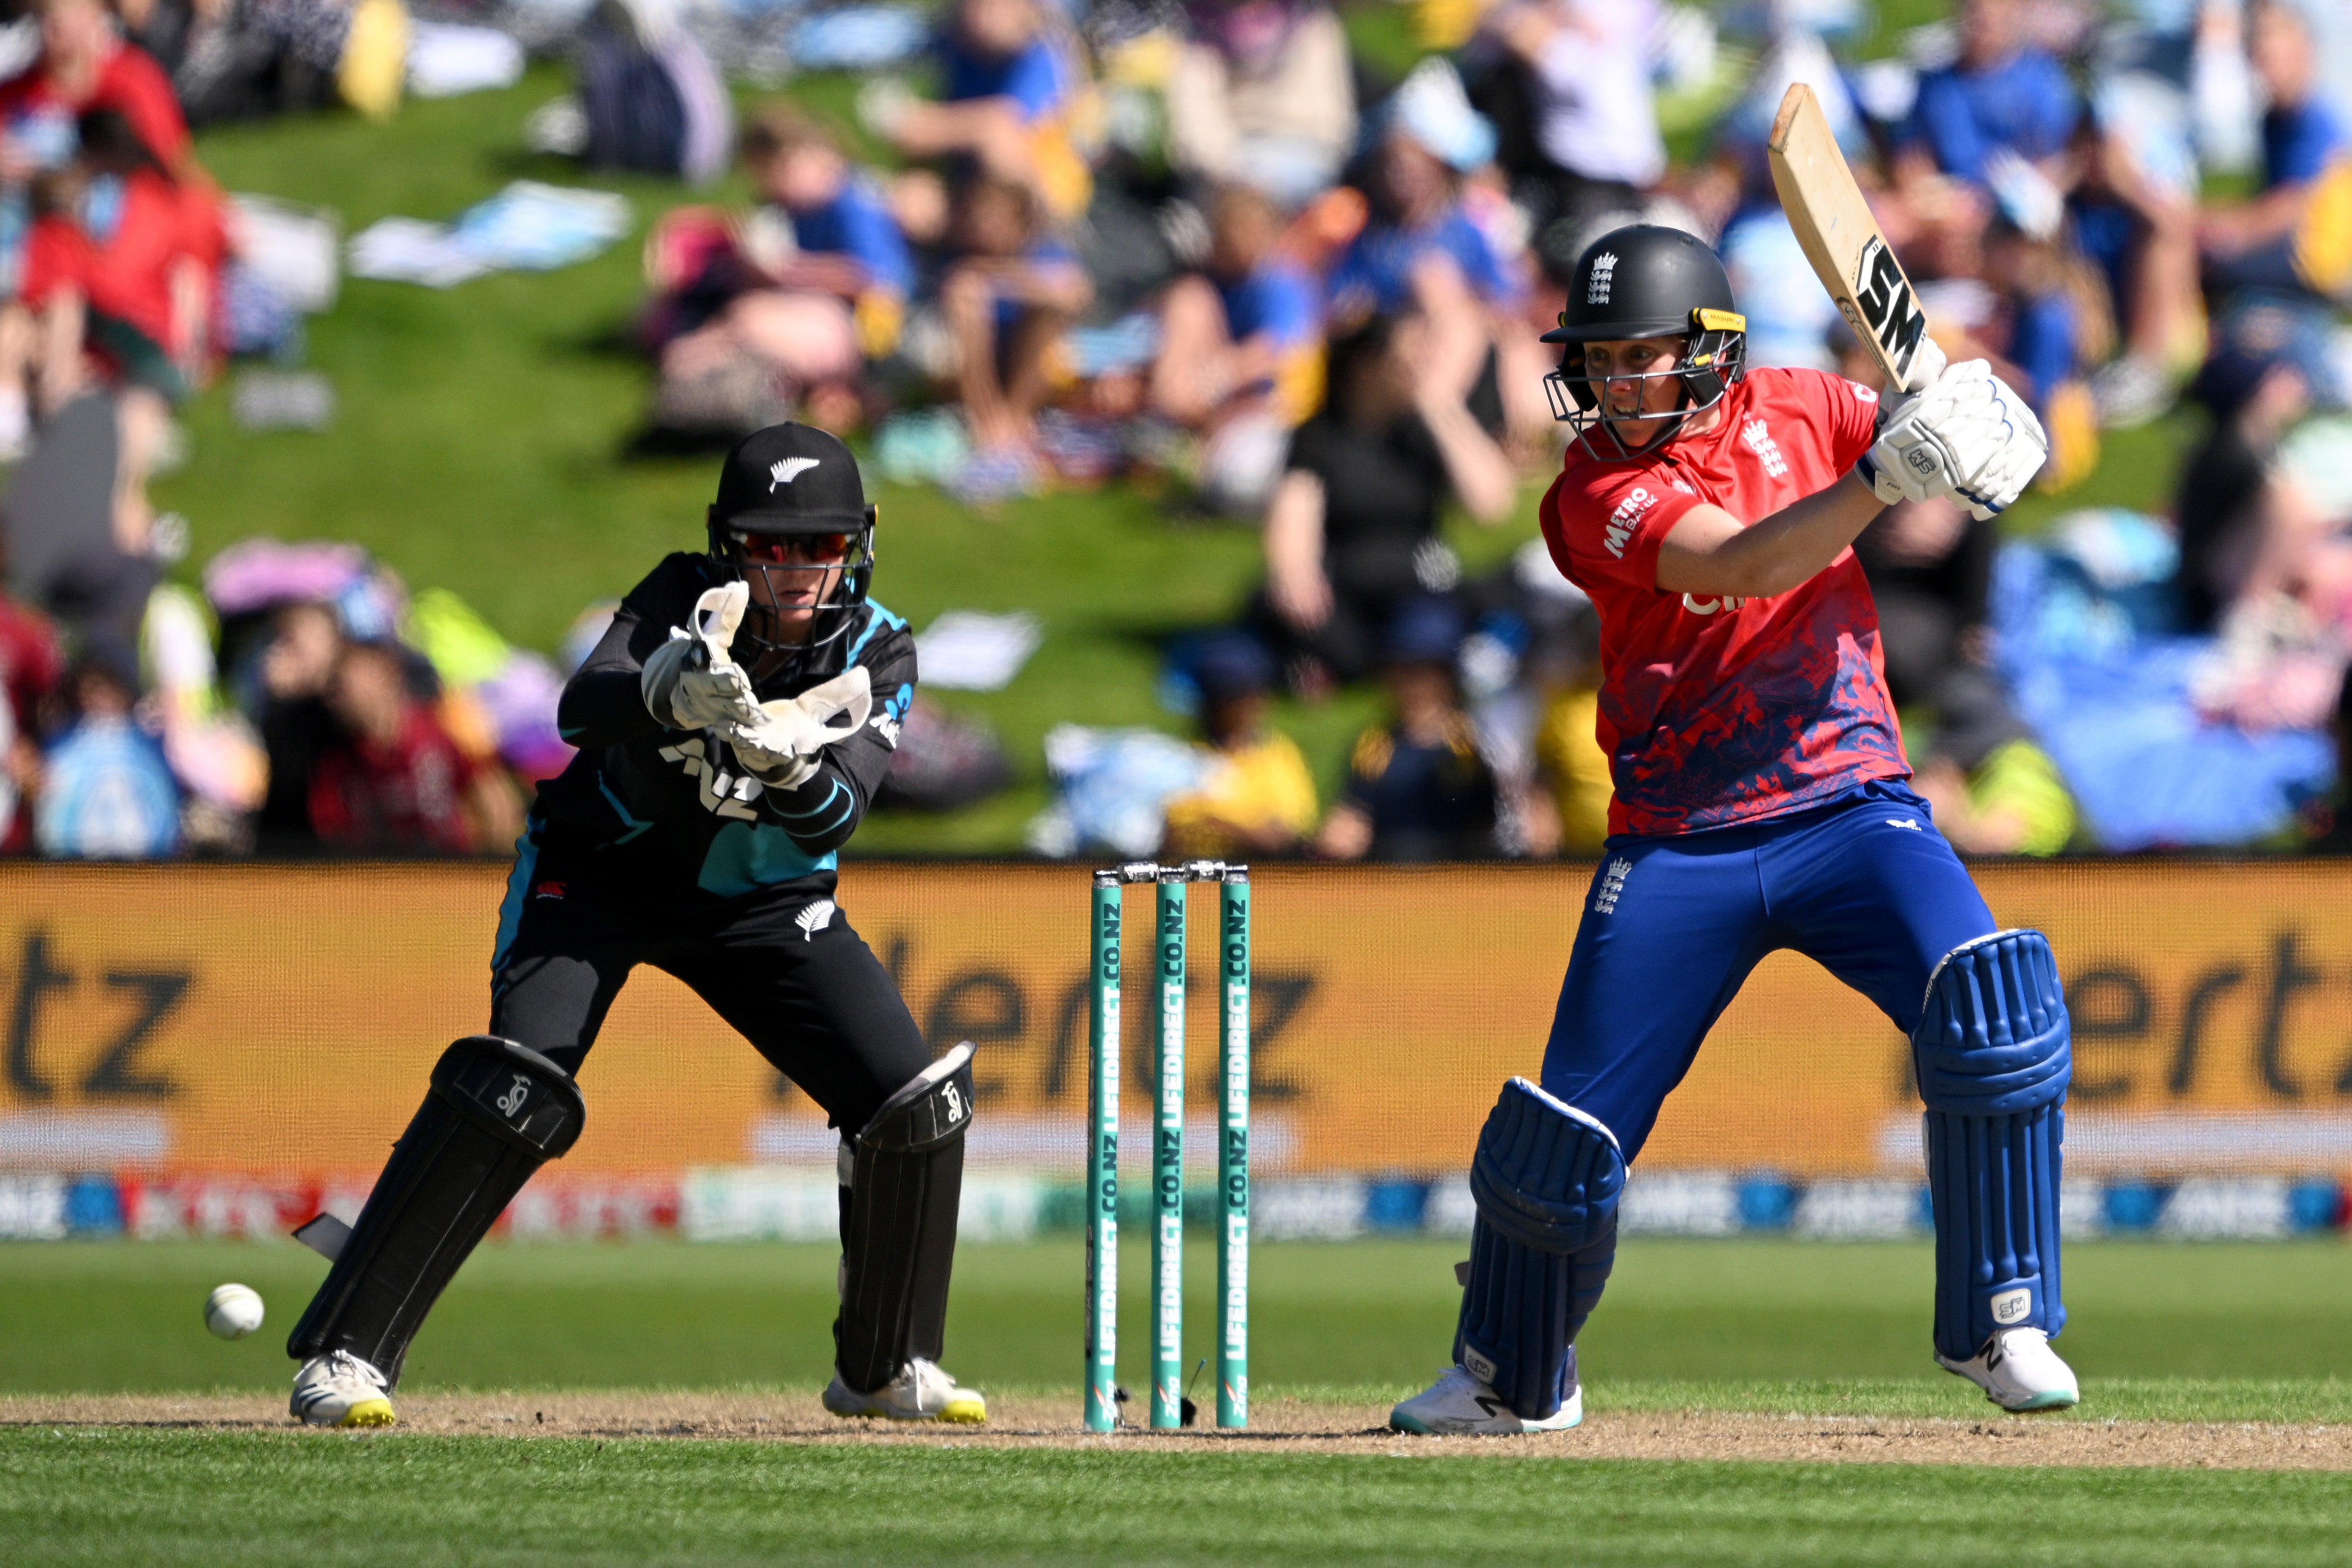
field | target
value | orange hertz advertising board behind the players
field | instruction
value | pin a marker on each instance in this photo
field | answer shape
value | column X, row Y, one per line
column 286, row 1017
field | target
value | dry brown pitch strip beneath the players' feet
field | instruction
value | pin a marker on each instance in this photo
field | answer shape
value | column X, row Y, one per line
column 1281, row 1426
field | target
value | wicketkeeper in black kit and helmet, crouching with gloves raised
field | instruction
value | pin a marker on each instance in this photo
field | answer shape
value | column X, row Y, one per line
column 733, row 728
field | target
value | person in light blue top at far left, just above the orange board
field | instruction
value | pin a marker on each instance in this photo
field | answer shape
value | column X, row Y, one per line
column 105, row 786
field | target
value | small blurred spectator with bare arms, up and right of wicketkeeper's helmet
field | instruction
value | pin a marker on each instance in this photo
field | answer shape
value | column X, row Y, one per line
column 1008, row 295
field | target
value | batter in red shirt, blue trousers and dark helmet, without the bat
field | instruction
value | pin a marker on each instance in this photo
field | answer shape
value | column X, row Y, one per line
column 1760, row 803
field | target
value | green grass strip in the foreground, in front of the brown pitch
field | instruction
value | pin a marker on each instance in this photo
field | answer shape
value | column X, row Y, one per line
column 175, row 1499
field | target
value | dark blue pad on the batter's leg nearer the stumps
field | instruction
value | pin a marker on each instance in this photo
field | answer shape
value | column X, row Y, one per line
column 1546, row 1181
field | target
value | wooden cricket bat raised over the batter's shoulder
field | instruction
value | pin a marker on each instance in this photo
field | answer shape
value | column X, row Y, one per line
column 1843, row 241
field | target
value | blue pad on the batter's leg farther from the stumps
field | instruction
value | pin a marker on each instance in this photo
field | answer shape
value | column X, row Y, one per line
column 1993, row 1054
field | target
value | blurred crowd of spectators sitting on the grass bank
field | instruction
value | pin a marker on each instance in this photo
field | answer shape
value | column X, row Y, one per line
column 1212, row 248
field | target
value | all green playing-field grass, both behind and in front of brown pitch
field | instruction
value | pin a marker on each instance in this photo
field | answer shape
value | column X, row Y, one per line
column 2160, row 1332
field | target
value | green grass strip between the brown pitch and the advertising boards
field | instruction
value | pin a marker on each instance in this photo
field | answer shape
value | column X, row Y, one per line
column 2214, row 1332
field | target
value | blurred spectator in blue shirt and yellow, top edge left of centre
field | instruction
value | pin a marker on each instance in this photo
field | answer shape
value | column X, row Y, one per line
column 1005, row 107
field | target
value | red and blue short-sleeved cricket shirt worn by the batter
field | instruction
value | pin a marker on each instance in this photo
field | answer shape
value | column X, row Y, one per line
column 1730, row 711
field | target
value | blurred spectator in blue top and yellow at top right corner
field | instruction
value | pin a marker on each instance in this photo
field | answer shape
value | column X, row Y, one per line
column 2297, row 236
